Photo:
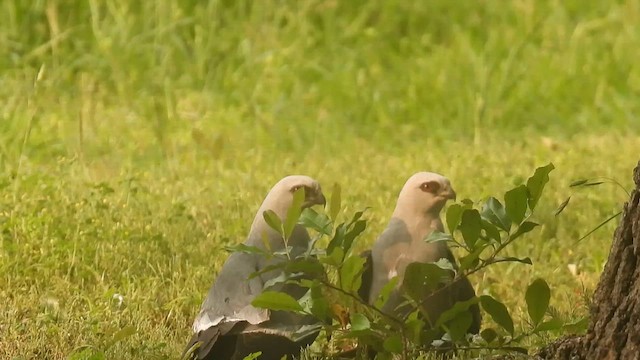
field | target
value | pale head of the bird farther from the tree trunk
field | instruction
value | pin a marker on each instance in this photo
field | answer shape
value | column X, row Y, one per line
column 280, row 198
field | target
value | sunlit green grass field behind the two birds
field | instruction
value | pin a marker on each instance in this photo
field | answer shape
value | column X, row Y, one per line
column 136, row 140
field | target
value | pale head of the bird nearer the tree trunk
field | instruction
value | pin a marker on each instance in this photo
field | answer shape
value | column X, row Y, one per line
column 424, row 193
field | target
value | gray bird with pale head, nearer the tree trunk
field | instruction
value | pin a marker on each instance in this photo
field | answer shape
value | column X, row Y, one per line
column 417, row 214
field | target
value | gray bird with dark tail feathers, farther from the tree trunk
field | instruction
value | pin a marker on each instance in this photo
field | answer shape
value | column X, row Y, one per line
column 228, row 327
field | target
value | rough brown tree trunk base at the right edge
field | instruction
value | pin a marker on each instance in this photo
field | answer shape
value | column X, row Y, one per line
column 614, row 329
